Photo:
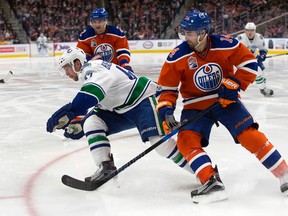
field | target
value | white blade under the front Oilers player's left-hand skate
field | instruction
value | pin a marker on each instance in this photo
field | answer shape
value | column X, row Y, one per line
column 213, row 197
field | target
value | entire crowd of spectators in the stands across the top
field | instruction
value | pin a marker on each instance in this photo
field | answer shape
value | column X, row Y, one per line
column 63, row 20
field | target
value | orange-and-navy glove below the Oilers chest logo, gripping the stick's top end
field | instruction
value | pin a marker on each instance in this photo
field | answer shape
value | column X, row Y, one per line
column 228, row 91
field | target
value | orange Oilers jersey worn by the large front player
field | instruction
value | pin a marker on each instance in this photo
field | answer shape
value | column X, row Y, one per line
column 200, row 77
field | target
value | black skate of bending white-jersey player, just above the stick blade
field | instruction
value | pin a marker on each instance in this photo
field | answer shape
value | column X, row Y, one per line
column 104, row 170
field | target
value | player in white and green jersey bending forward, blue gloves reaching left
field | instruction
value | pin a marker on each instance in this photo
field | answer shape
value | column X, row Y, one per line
column 122, row 100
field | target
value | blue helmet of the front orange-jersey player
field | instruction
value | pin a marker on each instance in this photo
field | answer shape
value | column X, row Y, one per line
column 195, row 21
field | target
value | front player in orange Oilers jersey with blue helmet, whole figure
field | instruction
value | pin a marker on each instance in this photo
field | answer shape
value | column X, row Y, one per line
column 204, row 65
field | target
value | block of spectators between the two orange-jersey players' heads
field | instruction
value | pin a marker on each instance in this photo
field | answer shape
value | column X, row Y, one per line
column 143, row 19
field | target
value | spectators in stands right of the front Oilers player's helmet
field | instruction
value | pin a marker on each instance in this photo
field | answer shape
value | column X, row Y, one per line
column 231, row 16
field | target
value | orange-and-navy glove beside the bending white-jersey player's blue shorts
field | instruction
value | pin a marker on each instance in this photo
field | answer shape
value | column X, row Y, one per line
column 165, row 111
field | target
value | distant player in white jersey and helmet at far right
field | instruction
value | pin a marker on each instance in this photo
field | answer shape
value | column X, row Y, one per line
column 255, row 42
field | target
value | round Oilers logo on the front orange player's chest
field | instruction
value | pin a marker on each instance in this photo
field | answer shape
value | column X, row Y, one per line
column 208, row 77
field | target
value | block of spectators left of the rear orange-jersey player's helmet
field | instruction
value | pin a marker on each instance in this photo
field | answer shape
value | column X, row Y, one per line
column 59, row 20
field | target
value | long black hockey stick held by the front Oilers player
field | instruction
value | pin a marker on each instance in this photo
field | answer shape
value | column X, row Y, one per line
column 90, row 186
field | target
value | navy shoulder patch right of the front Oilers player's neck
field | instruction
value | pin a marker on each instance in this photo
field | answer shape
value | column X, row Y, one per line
column 221, row 41
